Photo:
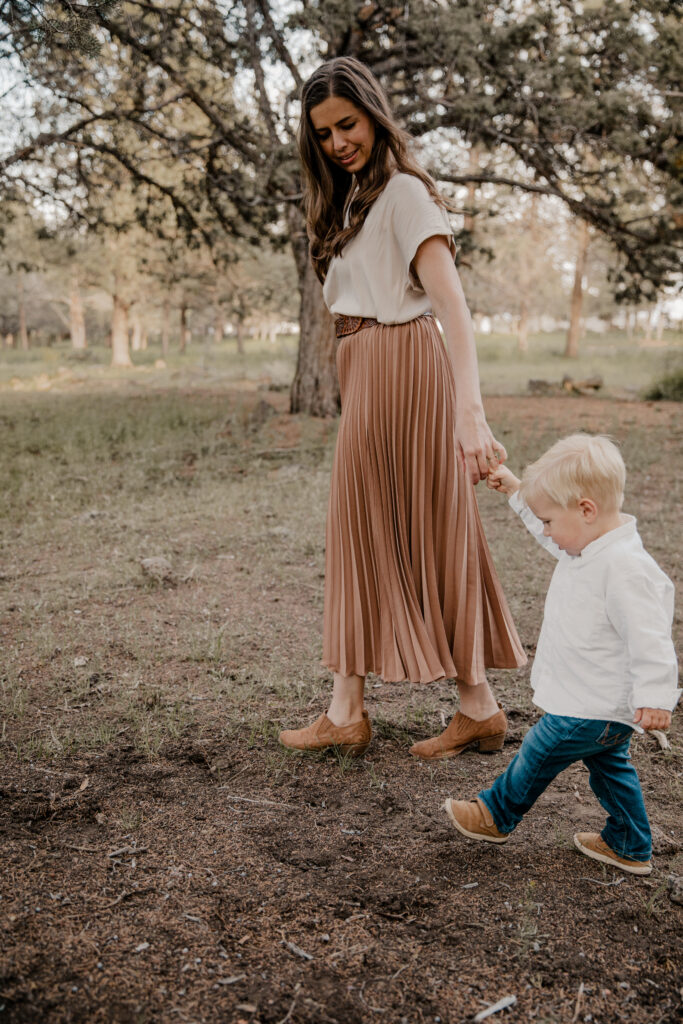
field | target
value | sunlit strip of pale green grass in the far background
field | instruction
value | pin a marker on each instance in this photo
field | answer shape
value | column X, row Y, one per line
column 626, row 365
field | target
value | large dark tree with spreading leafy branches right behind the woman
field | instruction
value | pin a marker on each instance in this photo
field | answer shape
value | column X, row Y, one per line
column 563, row 99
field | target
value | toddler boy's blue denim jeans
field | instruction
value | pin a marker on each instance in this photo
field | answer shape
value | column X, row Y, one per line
column 554, row 744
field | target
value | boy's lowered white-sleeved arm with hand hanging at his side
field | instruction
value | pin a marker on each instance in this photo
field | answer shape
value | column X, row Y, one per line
column 642, row 613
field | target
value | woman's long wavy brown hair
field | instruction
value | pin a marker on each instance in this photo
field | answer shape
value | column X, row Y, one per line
column 328, row 188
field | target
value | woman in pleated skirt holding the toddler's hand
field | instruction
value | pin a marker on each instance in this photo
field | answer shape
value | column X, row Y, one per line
column 410, row 590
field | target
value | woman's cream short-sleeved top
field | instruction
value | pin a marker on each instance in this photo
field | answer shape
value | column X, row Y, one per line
column 373, row 276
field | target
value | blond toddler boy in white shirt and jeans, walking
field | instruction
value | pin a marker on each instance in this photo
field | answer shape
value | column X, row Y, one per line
column 606, row 663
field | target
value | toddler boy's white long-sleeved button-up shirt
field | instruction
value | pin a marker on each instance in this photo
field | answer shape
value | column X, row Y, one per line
column 606, row 648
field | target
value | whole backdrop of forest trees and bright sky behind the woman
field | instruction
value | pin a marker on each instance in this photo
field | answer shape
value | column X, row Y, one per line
column 152, row 194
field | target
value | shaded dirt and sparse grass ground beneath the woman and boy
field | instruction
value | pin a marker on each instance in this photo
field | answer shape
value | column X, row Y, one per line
column 164, row 860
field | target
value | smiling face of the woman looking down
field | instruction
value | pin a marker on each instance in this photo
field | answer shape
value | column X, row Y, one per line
column 347, row 134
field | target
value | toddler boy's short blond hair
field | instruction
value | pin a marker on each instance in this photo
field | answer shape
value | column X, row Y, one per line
column 580, row 466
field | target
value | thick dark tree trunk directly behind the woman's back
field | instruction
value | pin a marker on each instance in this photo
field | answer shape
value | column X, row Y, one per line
column 316, row 388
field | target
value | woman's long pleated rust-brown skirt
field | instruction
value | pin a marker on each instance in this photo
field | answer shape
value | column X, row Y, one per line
column 411, row 592
